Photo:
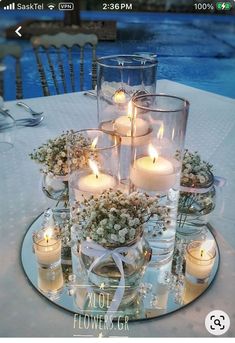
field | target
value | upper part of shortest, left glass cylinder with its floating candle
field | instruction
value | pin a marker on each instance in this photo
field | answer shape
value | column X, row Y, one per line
column 100, row 170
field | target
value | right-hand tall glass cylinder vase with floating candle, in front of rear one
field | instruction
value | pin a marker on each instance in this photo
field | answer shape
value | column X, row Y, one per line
column 156, row 164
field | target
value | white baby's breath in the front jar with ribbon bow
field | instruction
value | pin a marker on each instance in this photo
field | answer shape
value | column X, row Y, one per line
column 115, row 218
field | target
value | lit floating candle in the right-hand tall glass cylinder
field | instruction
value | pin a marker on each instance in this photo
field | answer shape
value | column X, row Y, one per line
column 153, row 172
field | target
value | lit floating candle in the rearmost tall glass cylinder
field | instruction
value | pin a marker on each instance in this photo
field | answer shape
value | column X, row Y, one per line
column 122, row 124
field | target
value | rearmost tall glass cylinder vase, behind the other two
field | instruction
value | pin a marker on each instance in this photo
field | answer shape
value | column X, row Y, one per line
column 120, row 78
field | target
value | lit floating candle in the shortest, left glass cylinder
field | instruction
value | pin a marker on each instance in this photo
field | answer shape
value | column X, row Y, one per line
column 95, row 182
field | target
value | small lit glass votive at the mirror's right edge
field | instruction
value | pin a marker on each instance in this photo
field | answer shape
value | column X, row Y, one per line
column 200, row 258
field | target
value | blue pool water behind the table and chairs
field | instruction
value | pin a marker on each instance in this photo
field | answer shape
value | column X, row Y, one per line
column 197, row 50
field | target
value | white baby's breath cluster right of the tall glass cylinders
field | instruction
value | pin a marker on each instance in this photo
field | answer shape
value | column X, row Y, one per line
column 195, row 171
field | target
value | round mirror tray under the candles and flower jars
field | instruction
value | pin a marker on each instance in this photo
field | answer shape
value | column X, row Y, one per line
column 163, row 290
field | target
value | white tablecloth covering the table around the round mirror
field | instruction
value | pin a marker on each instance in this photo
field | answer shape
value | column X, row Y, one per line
column 211, row 130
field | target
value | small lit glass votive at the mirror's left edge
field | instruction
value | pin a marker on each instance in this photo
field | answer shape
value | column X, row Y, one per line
column 47, row 247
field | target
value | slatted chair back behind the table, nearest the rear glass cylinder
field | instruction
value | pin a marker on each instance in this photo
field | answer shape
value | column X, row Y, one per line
column 56, row 63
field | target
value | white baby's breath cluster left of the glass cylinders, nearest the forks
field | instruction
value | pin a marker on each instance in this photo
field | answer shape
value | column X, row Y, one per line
column 52, row 155
